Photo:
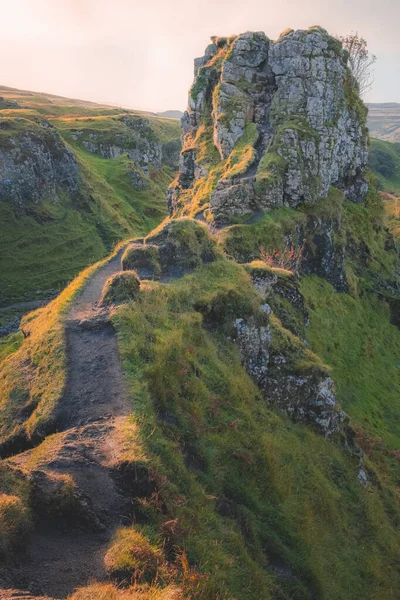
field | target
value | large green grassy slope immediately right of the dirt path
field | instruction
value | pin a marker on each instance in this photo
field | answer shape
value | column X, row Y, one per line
column 246, row 486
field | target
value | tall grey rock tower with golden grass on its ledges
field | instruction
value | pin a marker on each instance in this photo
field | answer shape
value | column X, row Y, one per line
column 286, row 121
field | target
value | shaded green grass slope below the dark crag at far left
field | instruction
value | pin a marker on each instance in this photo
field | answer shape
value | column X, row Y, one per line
column 44, row 250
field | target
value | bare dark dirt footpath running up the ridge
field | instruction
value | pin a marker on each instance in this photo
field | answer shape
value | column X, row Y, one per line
column 66, row 552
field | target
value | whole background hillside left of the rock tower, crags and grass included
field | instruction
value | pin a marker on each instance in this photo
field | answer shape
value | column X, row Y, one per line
column 75, row 178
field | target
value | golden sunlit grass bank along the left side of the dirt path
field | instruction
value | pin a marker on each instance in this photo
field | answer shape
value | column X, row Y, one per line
column 33, row 378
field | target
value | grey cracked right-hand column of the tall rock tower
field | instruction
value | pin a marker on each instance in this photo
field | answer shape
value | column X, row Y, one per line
column 326, row 142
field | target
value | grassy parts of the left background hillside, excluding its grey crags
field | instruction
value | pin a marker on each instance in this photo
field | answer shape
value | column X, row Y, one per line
column 45, row 245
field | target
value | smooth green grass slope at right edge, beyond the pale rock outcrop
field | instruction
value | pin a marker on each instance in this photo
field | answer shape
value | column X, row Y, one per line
column 363, row 349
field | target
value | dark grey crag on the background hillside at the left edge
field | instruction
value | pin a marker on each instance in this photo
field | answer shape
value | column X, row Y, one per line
column 36, row 164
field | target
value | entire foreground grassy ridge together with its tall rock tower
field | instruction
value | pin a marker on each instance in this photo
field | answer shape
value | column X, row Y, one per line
column 250, row 473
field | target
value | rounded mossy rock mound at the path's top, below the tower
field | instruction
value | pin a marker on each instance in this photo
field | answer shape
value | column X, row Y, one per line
column 183, row 244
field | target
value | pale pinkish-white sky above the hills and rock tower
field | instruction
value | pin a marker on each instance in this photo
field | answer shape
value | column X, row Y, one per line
column 139, row 54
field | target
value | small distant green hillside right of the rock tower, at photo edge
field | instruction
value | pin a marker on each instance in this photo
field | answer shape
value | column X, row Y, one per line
column 384, row 160
